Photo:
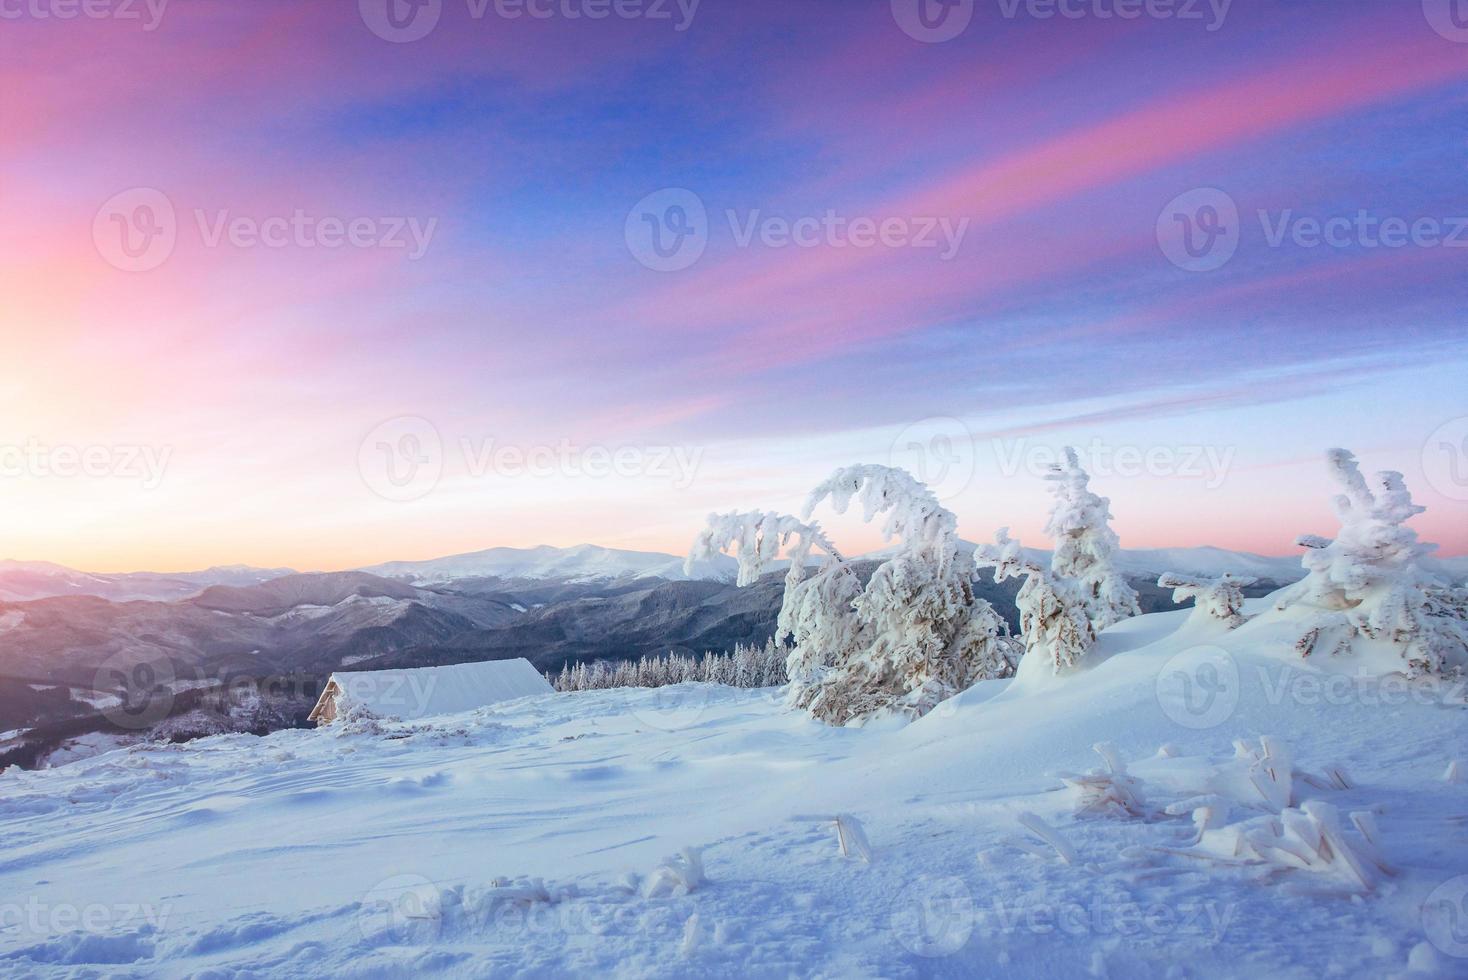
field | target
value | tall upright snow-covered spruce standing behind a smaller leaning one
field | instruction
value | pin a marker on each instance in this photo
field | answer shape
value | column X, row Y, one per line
column 1086, row 545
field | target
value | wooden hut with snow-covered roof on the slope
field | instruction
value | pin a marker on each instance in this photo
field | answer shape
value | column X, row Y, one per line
column 424, row 692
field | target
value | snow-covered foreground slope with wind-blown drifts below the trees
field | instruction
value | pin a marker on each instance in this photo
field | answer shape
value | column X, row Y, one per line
column 526, row 840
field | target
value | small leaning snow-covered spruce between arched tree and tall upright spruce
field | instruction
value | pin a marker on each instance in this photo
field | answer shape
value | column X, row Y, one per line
column 1053, row 617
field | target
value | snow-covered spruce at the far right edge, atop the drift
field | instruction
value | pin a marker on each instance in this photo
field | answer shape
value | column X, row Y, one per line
column 1369, row 582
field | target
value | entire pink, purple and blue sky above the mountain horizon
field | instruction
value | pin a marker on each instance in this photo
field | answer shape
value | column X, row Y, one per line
column 283, row 285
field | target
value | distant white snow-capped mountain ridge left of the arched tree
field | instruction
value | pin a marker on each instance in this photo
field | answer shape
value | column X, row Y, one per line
column 573, row 564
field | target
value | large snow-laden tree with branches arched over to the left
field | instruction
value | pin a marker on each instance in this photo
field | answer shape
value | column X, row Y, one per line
column 912, row 637
